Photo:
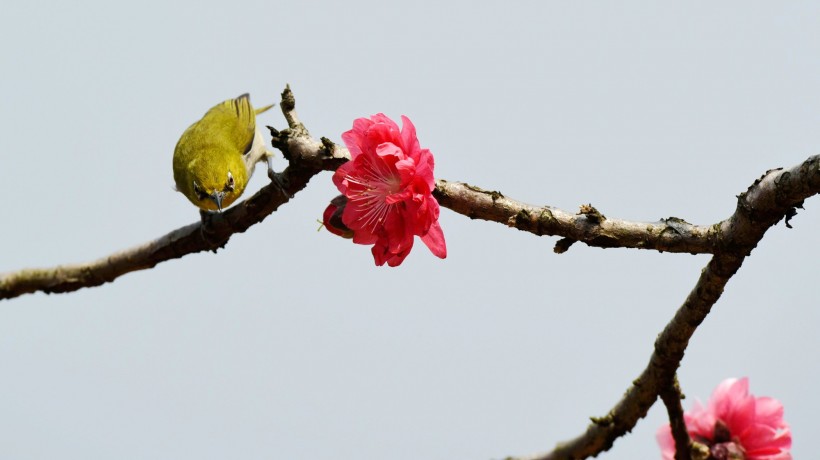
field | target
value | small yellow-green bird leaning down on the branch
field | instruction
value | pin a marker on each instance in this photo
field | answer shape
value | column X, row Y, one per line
column 215, row 157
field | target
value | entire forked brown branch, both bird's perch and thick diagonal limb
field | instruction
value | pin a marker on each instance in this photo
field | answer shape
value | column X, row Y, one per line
column 774, row 196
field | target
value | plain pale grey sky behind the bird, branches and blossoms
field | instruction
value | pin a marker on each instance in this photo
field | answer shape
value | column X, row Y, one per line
column 290, row 343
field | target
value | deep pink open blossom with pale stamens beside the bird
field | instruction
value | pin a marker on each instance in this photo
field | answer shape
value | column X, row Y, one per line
column 388, row 183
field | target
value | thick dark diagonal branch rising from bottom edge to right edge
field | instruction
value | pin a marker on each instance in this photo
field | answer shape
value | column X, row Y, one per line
column 767, row 201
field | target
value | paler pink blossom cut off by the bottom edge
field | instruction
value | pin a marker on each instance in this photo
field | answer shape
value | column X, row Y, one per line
column 735, row 425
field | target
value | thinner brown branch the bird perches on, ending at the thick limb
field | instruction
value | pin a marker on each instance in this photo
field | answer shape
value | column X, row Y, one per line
column 307, row 157
